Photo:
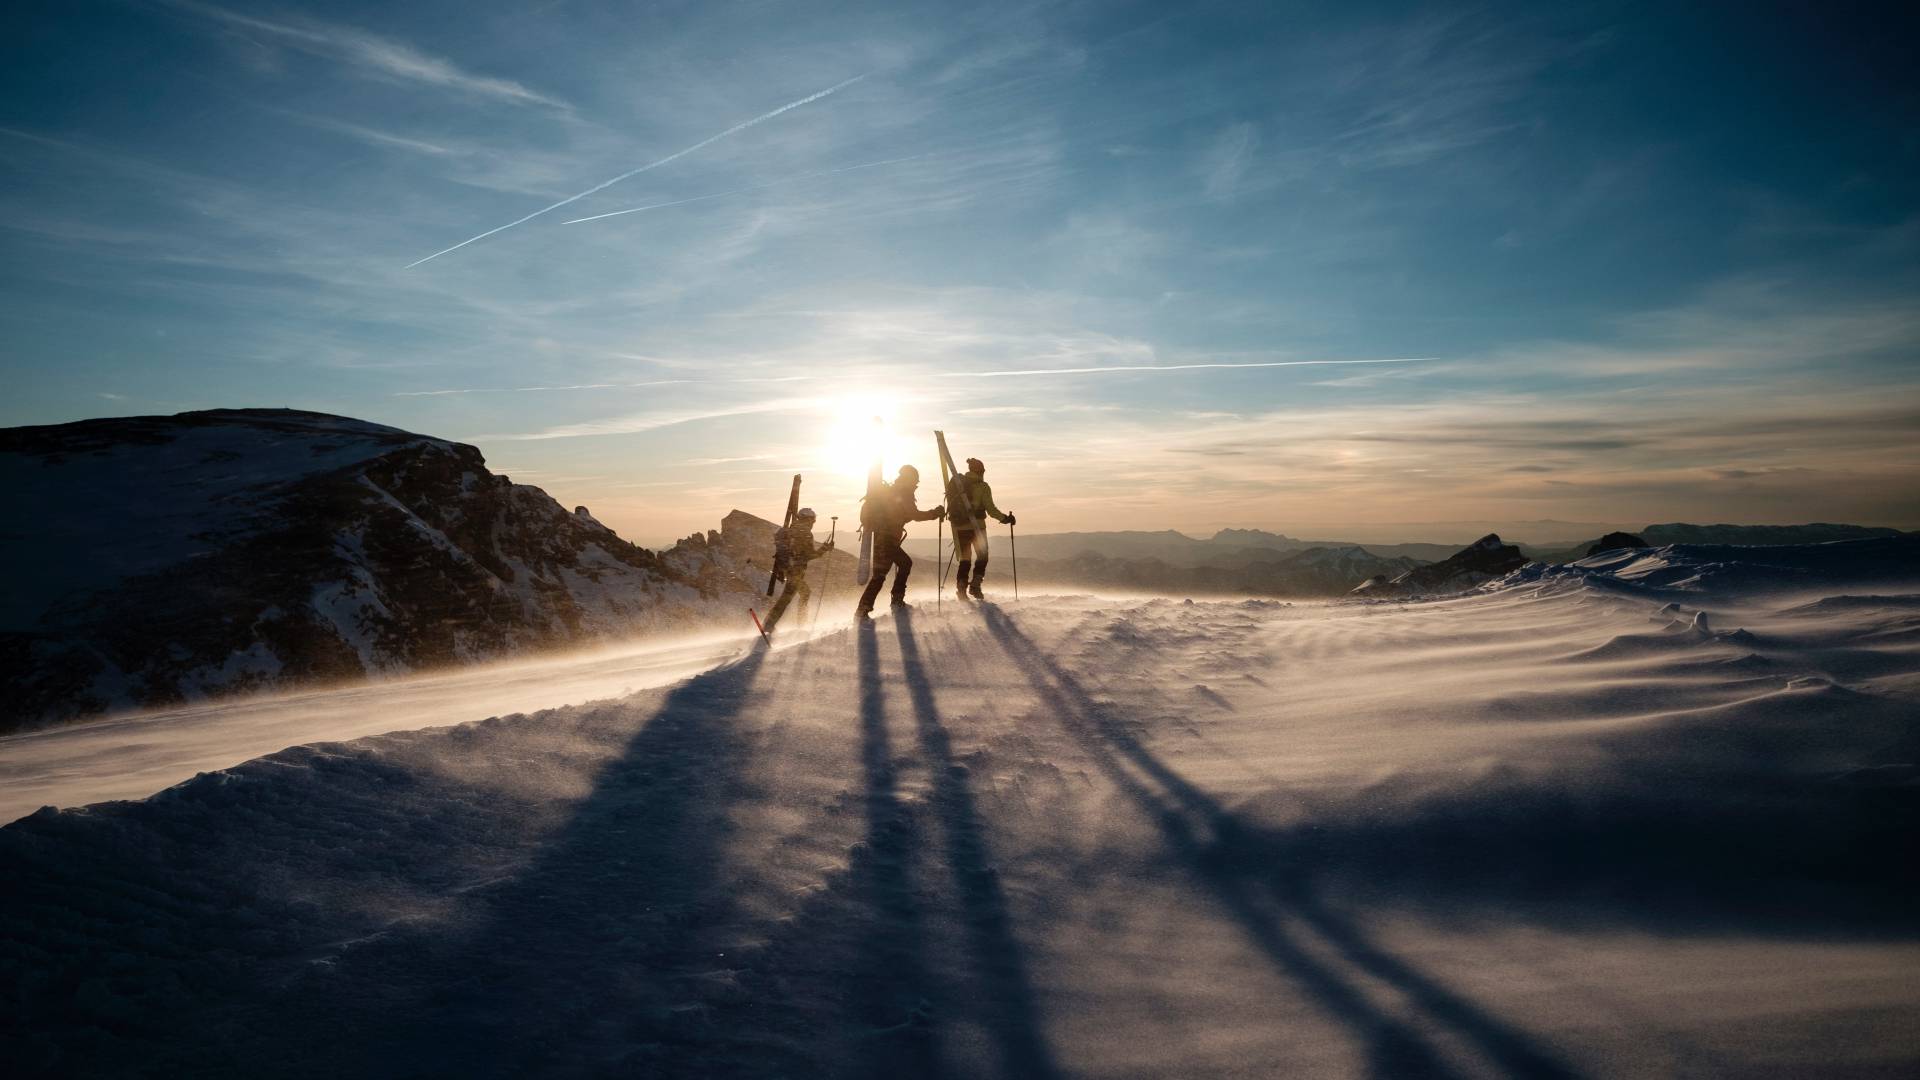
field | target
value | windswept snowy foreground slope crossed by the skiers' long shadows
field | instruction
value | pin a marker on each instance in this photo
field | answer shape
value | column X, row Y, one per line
column 1529, row 833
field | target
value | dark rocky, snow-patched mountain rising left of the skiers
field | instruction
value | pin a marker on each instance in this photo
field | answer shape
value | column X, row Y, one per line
column 160, row 560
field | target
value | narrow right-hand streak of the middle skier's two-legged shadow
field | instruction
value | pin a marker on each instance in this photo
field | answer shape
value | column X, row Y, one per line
column 1003, row 991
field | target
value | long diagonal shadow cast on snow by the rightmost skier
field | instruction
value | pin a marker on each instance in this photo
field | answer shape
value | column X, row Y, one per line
column 1232, row 862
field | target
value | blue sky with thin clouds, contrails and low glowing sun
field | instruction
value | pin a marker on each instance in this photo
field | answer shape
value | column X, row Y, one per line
column 1308, row 268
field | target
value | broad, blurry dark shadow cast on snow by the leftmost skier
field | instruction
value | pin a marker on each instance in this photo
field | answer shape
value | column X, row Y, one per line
column 600, row 943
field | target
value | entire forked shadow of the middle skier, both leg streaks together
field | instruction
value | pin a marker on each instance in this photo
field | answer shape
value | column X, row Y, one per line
column 848, row 985
